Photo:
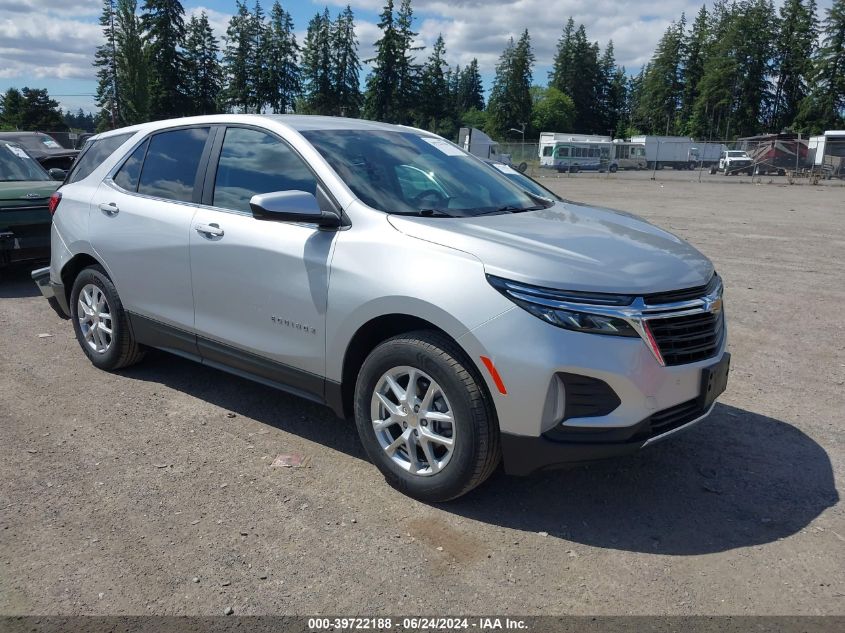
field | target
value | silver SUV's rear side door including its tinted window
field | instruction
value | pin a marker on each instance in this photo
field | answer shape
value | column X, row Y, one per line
column 140, row 222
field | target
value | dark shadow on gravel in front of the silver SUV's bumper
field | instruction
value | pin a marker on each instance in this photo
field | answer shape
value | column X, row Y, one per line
column 738, row 479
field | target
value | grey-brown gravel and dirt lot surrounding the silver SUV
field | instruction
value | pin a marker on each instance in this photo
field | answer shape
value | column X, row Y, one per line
column 151, row 490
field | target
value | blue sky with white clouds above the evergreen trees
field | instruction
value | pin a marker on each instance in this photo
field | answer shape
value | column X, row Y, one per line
column 48, row 44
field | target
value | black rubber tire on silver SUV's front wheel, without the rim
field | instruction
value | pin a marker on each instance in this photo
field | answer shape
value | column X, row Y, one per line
column 476, row 452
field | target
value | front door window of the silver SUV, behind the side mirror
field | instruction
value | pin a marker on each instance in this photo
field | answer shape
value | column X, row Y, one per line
column 253, row 162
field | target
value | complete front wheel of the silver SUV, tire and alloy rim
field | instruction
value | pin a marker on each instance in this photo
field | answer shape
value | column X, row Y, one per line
column 424, row 418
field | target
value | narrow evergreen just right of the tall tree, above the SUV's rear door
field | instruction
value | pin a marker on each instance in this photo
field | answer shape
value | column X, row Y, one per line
column 204, row 77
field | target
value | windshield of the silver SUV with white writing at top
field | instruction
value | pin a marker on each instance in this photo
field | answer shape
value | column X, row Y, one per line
column 404, row 172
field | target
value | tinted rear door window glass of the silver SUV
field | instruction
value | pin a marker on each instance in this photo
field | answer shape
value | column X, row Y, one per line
column 170, row 167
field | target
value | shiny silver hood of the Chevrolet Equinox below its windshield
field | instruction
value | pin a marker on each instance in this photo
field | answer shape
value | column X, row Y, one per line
column 570, row 247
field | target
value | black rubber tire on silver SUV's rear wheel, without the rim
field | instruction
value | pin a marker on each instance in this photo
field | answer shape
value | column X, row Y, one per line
column 123, row 349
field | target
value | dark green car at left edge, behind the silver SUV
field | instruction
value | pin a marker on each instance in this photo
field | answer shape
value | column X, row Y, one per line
column 25, row 190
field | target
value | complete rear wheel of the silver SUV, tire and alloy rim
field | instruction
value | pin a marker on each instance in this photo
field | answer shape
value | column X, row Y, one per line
column 100, row 322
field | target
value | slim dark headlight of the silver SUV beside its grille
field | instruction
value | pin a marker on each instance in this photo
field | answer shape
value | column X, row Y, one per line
column 560, row 307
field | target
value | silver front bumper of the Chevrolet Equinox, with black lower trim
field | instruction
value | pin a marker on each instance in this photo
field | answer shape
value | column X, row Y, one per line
column 530, row 356
